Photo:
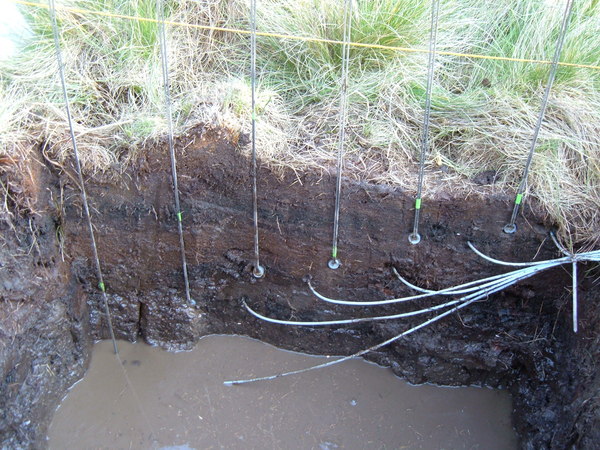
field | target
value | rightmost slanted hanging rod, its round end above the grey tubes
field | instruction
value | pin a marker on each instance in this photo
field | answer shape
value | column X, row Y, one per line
column 511, row 226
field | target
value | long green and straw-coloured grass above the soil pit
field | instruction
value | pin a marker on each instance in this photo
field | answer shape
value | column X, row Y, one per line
column 483, row 110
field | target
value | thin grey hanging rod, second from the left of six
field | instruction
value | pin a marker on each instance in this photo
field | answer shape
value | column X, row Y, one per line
column 169, row 116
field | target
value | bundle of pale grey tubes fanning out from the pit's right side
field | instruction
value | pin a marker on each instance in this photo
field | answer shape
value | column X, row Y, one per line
column 474, row 290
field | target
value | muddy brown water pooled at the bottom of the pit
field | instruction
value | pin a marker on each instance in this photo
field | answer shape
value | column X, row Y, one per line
column 179, row 402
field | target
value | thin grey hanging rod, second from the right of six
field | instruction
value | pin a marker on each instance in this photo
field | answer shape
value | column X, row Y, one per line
column 414, row 238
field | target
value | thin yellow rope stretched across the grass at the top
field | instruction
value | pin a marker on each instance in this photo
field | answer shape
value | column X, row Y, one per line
column 302, row 38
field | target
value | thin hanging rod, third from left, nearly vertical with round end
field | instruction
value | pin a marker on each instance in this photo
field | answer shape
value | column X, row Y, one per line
column 258, row 271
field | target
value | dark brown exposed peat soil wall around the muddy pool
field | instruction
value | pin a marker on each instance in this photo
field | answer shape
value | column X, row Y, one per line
column 50, row 313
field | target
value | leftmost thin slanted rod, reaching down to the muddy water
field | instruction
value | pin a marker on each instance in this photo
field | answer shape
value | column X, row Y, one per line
column 84, row 199
